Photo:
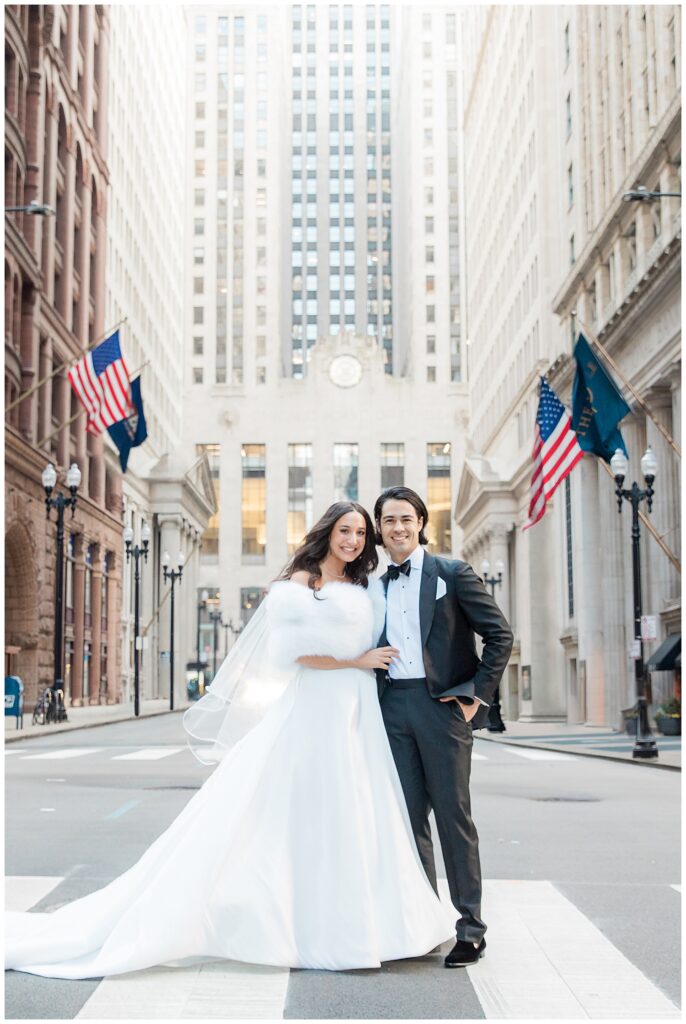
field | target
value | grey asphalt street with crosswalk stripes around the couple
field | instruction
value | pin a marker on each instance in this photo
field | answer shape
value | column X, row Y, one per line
column 591, row 842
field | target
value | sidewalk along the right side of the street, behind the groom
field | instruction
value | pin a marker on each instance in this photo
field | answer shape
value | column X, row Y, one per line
column 587, row 741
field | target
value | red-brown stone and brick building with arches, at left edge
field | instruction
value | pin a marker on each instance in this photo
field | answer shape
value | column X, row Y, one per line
column 56, row 132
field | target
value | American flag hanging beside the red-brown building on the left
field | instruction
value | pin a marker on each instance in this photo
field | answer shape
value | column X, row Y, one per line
column 101, row 380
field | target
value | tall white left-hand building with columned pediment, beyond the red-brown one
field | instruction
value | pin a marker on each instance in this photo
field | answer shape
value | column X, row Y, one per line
column 147, row 132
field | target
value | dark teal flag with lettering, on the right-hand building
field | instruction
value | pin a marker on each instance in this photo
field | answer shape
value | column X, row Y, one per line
column 597, row 405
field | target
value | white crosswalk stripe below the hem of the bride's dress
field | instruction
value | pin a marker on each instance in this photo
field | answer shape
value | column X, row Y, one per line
column 212, row 991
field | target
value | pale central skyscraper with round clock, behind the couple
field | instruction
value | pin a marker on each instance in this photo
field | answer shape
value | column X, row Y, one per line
column 313, row 374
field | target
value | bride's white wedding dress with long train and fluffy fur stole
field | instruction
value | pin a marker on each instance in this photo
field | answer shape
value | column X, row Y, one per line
column 296, row 852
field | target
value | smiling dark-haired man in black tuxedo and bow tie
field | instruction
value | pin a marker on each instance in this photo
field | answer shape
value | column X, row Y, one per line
column 433, row 695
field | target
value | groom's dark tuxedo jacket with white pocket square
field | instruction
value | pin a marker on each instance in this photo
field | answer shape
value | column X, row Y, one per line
column 449, row 626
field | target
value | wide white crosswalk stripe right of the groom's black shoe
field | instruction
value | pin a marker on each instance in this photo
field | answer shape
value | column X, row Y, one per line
column 546, row 961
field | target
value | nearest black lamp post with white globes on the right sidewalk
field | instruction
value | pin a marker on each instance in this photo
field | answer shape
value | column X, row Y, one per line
column 646, row 746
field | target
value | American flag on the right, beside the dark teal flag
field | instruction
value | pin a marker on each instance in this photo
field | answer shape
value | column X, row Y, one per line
column 556, row 452
